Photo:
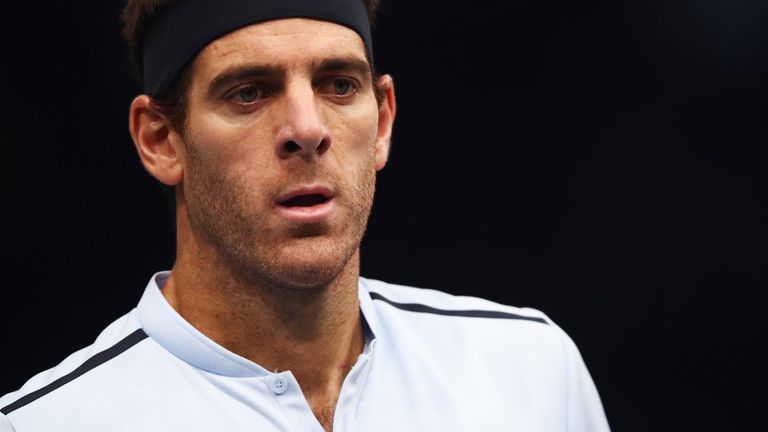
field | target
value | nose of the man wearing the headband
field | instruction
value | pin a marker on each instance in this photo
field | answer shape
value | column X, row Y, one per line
column 302, row 130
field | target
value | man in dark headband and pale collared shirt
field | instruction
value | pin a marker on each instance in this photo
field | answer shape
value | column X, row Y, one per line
column 266, row 119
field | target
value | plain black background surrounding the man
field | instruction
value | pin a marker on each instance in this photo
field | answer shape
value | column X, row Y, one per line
column 601, row 161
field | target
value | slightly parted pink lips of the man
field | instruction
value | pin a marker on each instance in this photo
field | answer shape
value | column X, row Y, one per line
column 306, row 204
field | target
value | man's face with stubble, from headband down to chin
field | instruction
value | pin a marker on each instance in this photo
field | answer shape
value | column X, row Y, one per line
column 281, row 149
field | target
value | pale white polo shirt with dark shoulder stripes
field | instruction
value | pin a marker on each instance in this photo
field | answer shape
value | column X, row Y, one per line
column 432, row 362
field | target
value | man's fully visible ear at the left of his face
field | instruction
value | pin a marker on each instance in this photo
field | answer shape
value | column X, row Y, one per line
column 159, row 146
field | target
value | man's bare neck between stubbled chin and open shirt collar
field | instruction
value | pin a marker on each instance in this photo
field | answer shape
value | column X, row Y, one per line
column 316, row 333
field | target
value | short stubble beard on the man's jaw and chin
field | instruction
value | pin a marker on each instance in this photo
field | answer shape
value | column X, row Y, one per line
column 224, row 211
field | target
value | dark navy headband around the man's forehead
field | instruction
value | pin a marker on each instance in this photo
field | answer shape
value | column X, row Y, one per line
column 177, row 32
